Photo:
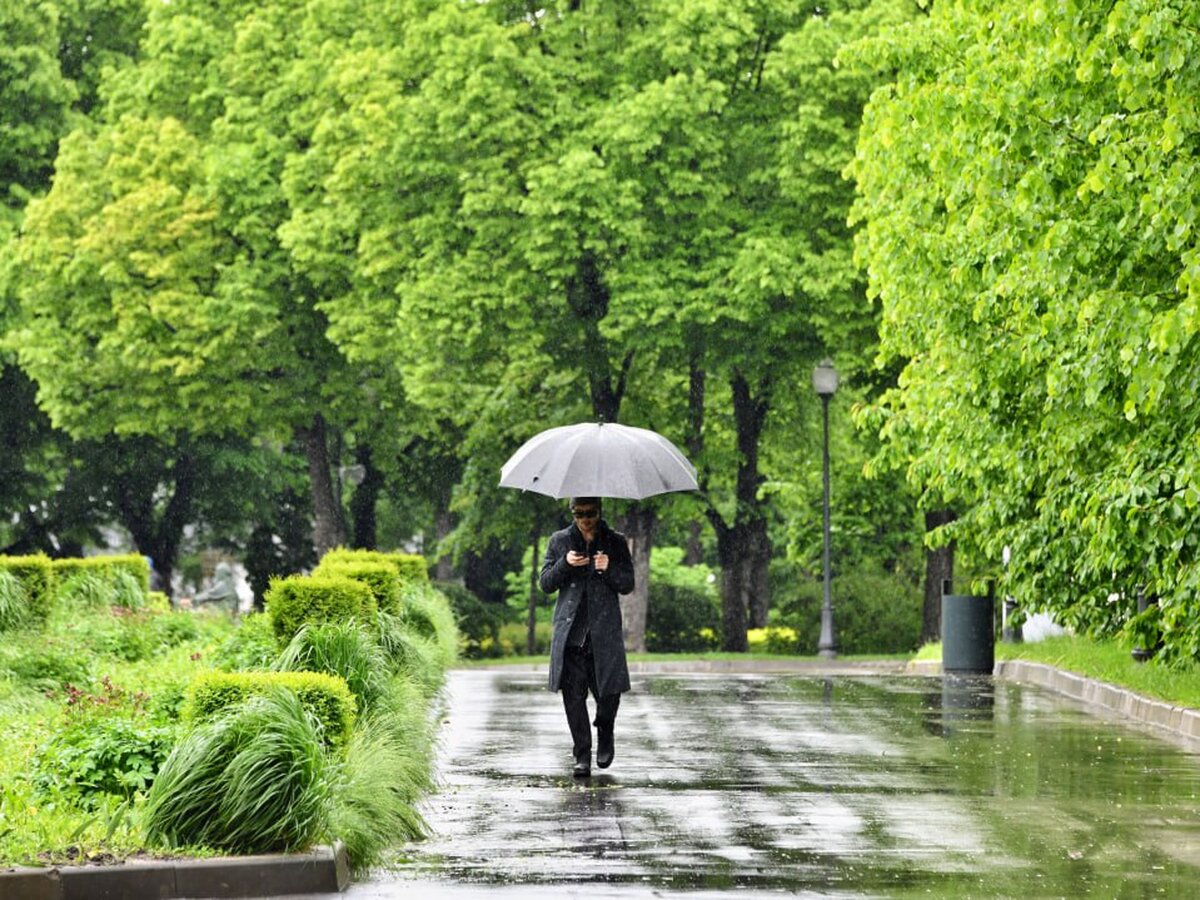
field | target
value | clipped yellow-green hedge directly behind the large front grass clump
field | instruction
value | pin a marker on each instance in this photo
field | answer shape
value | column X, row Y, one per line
column 327, row 697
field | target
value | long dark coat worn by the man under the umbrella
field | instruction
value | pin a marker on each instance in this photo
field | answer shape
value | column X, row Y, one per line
column 604, row 608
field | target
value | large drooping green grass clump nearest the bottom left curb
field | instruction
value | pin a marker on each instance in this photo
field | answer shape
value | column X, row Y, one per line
column 253, row 779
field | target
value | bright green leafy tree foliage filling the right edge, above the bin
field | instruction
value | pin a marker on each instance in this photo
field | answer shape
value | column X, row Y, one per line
column 1027, row 194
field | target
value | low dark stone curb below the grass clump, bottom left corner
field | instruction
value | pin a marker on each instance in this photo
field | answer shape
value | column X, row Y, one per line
column 321, row 872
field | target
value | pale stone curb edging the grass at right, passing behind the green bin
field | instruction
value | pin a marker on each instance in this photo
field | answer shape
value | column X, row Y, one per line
column 1183, row 722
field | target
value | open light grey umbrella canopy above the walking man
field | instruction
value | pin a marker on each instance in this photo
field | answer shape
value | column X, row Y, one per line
column 599, row 460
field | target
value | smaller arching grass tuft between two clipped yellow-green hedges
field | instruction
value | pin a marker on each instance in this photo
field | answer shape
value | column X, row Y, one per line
column 345, row 650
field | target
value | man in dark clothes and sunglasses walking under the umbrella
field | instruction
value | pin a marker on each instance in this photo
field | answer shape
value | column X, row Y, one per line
column 590, row 566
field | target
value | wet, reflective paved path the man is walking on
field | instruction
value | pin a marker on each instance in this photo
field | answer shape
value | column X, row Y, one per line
column 776, row 784
